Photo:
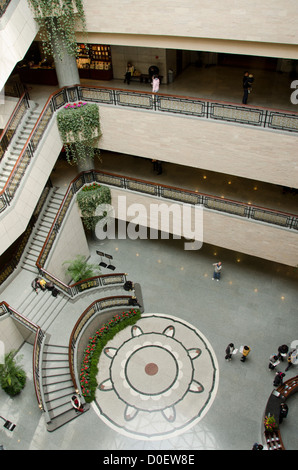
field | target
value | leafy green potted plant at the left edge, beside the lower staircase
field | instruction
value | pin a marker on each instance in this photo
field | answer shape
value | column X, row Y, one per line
column 12, row 376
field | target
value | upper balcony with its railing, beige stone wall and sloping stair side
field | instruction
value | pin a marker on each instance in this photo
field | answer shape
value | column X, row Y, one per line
column 175, row 129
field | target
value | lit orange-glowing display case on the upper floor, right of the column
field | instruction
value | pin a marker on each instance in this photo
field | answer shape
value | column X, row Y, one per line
column 95, row 61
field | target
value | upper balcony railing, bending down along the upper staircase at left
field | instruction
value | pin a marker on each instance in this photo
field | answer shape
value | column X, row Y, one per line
column 206, row 109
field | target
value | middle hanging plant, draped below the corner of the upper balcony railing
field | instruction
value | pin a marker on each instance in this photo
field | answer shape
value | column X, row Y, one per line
column 79, row 128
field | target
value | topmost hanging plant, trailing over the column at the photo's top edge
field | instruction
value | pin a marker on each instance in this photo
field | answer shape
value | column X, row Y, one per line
column 58, row 21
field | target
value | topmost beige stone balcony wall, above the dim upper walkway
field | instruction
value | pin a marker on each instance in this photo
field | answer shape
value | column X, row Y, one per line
column 266, row 21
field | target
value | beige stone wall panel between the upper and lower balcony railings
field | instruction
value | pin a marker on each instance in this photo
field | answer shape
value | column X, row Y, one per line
column 243, row 151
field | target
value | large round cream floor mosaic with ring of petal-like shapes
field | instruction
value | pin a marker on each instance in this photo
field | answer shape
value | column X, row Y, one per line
column 156, row 379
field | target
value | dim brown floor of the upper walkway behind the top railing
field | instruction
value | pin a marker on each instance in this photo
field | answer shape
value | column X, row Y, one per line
column 270, row 89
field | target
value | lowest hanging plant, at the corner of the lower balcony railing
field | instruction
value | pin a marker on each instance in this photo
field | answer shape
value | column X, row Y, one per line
column 89, row 198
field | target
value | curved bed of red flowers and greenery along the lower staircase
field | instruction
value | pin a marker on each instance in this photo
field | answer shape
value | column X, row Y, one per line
column 89, row 366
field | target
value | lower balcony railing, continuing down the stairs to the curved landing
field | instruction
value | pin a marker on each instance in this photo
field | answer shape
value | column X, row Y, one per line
column 227, row 206
